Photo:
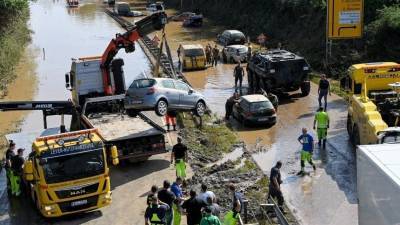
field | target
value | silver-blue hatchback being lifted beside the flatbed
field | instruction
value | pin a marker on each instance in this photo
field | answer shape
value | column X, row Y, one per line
column 163, row 95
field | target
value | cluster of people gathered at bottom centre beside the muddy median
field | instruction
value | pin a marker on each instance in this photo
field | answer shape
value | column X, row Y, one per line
column 167, row 205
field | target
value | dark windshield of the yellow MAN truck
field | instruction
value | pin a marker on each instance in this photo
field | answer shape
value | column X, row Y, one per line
column 73, row 166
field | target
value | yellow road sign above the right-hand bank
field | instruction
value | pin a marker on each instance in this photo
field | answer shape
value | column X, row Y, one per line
column 345, row 19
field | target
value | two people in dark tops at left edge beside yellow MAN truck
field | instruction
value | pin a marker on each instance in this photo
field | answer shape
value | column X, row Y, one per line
column 14, row 169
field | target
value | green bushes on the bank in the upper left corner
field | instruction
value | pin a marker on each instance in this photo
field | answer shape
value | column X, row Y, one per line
column 14, row 34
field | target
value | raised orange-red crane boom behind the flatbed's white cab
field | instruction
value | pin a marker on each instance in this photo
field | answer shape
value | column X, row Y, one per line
column 155, row 21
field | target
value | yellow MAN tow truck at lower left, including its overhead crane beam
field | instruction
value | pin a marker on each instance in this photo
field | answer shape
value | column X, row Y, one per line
column 66, row 171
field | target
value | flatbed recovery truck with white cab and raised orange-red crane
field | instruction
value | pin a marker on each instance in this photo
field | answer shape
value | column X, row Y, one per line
column 97, row 87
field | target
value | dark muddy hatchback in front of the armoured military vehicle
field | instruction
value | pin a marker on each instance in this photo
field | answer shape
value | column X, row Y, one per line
column 254, row 109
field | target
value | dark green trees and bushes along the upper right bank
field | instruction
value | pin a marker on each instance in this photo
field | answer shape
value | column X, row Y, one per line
column 300, row 26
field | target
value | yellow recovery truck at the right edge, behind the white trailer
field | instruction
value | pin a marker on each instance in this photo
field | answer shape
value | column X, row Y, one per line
column 374, row 102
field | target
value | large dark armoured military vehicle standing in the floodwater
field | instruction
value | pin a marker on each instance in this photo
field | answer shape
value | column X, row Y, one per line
column 278, row 71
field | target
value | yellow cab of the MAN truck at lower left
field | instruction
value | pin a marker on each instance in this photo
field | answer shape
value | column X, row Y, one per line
column 68, row 173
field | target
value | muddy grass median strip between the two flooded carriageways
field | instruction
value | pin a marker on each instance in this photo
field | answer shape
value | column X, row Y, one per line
column 207, row 145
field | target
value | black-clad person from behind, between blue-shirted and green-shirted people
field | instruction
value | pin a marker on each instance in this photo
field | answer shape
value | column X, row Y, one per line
column 193, row 208
